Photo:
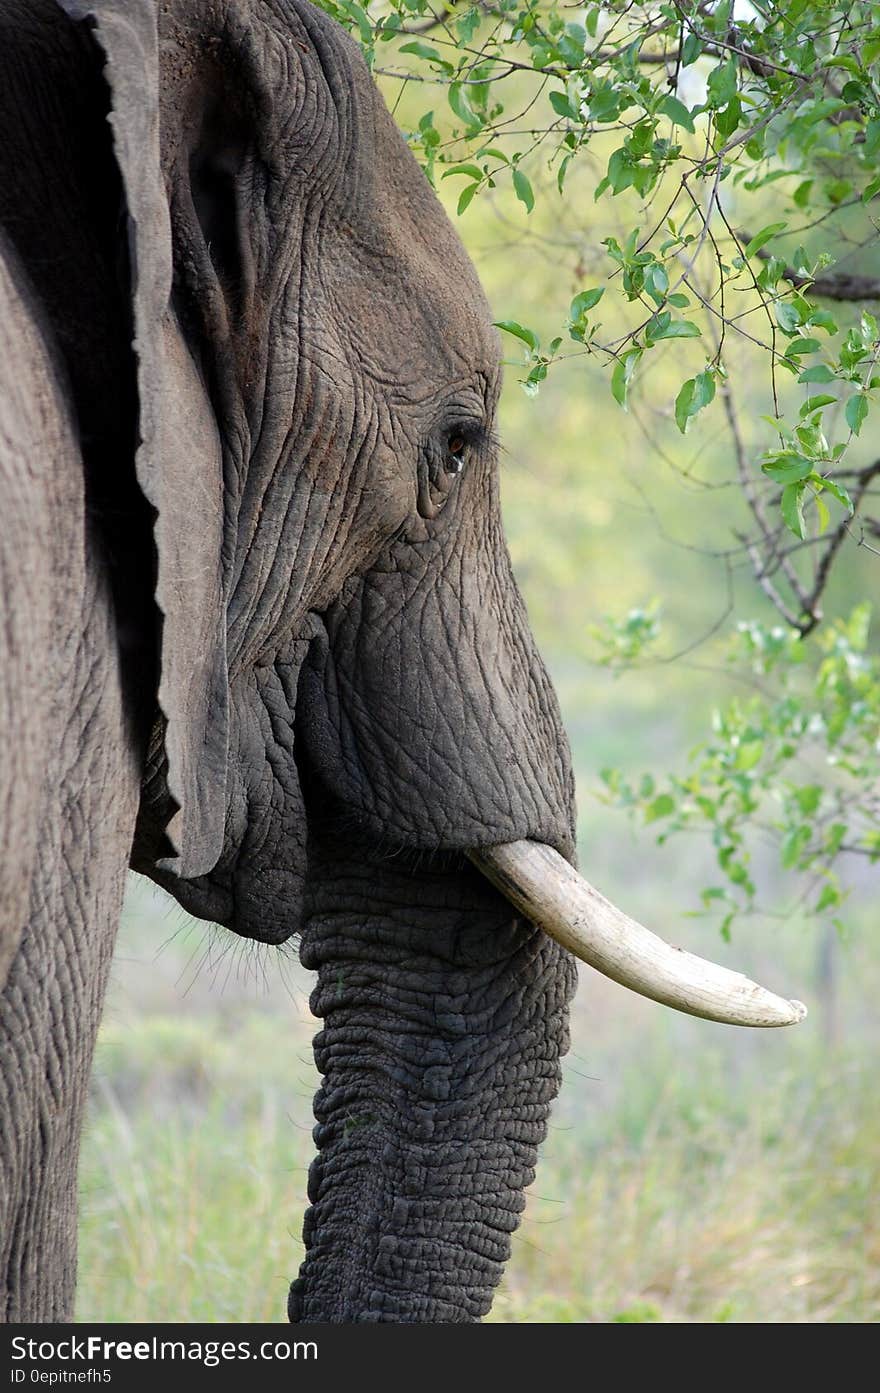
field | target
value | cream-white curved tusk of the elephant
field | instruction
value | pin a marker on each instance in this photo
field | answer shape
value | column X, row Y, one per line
column 549, row 891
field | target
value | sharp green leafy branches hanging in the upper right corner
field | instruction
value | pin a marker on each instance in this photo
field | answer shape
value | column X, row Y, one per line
column 702, row 116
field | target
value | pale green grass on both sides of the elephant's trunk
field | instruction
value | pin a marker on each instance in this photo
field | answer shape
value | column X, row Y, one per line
column 691, row 1174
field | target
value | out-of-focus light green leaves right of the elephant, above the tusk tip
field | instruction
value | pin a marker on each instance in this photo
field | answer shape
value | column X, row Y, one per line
column 790, row 777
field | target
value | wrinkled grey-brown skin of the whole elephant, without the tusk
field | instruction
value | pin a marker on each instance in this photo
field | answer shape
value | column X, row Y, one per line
column 247, row 590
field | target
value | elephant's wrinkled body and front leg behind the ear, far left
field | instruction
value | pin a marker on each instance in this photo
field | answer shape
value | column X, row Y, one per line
column 69, row 797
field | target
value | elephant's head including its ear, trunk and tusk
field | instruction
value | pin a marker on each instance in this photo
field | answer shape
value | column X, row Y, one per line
column 352, row 717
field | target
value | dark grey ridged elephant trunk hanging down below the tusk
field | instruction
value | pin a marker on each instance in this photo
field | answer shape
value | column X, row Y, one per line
column 445, row 1022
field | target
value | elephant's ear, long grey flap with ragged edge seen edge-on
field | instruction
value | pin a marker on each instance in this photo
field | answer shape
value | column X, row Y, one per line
column 179, row 459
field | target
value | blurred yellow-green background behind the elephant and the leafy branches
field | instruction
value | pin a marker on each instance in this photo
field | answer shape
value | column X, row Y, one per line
column 693, row 1174
